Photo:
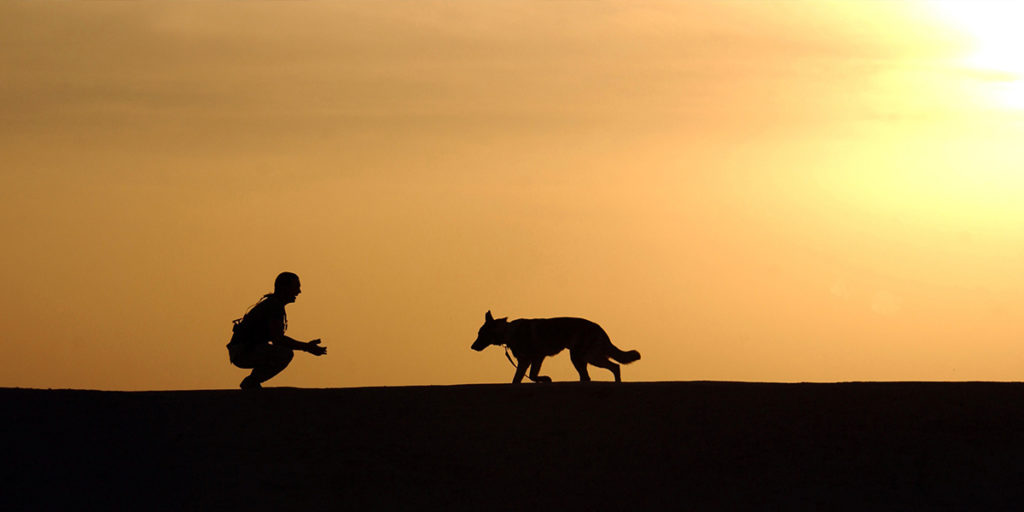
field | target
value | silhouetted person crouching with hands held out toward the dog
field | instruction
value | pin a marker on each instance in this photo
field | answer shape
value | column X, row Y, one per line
column 259, row 342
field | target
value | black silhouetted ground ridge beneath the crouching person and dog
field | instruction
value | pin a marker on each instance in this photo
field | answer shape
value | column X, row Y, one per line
column 679, row 446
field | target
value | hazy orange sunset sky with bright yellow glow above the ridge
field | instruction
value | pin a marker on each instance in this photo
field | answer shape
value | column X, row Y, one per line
column 741, row 191
